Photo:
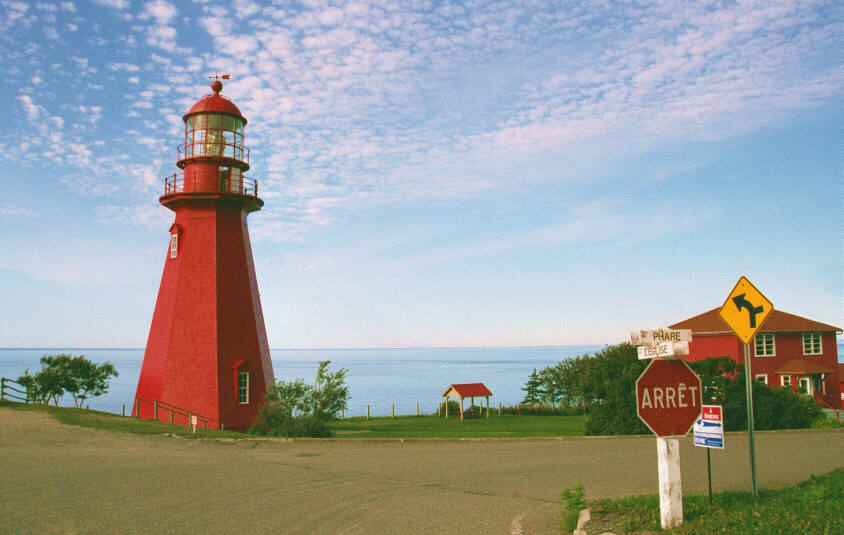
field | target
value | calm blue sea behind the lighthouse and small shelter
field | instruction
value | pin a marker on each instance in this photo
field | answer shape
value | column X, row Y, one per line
column 376, row 377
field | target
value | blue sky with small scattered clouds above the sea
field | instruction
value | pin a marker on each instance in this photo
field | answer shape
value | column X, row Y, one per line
column 434, row 173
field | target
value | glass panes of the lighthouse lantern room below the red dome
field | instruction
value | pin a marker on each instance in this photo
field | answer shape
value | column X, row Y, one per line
column 214, row 134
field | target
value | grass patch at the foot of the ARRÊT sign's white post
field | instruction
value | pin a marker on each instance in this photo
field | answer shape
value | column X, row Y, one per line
column 815, row 506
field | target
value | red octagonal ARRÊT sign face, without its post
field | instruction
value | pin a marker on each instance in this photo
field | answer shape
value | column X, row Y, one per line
column 668, row 397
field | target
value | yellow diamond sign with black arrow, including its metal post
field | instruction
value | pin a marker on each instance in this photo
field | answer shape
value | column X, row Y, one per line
column 744, row 311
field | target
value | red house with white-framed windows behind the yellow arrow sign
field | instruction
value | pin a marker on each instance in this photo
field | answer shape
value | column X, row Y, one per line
column 788, row 350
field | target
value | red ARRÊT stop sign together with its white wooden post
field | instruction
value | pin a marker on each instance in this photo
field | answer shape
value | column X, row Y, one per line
column 668, row 401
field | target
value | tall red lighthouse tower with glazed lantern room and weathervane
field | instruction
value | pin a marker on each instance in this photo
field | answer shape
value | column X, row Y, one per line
column 207, row 353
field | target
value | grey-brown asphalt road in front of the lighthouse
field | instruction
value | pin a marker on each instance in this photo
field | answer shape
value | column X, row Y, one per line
column 64, row 479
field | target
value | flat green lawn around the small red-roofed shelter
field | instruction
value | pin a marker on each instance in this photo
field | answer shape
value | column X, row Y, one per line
column 509, row 426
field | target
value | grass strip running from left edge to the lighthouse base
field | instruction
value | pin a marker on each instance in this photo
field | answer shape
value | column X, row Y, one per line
column 115, row 422
